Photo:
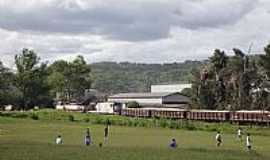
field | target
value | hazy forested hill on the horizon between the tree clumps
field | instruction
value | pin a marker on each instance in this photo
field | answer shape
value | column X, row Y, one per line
column 111, row 77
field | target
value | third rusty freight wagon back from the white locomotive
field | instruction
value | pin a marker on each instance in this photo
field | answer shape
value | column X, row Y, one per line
column 208, row 115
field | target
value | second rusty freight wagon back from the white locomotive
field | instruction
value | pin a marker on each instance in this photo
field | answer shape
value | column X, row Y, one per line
column 173, row 113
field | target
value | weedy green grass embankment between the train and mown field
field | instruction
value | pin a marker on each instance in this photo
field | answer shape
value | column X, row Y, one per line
column 116, row 120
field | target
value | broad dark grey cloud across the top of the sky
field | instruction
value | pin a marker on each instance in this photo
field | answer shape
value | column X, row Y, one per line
column 124, row 20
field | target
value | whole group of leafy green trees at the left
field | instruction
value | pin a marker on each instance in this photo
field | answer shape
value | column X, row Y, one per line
column 35, row 83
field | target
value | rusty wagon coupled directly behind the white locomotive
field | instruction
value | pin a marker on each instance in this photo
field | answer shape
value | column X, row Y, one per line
column 136, row 112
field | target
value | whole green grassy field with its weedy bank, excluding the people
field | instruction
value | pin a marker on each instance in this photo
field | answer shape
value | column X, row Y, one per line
column 31, row 136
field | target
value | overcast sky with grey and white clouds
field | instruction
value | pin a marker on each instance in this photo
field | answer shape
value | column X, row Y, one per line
column 149, row 31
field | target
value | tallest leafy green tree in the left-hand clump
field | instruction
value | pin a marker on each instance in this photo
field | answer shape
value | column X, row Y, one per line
column 31, row 79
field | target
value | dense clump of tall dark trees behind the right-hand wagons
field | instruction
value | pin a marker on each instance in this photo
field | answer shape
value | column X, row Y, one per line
column 233, row 82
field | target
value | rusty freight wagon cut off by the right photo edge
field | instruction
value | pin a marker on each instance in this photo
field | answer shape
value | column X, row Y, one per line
column 250, row 116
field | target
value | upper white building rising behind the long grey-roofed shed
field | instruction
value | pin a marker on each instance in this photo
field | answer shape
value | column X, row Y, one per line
column 169, row 87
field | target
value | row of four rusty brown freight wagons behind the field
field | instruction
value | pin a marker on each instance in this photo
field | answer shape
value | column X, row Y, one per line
column 204, row 115
